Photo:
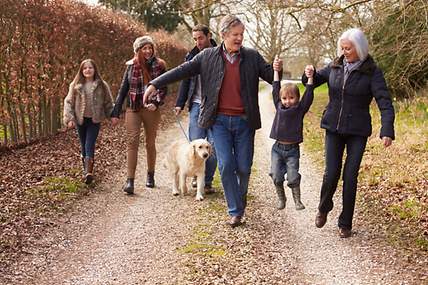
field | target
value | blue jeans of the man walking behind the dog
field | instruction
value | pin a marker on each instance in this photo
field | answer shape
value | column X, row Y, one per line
column 195, row 132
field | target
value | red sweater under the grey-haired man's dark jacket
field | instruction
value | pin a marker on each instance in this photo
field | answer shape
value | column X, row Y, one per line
column 229, row 101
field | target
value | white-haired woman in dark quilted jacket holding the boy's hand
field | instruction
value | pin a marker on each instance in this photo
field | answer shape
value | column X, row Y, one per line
column 353, row 80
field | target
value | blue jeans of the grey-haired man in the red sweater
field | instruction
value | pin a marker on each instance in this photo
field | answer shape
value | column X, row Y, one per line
column 234, row 143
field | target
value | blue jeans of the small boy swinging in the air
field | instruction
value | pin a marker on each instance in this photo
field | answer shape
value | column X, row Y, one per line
column 285, row 160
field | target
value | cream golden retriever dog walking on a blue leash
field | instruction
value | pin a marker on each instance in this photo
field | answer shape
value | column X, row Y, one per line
column 188, row 160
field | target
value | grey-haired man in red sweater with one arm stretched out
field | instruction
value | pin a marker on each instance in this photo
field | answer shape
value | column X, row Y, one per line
column 229, row 106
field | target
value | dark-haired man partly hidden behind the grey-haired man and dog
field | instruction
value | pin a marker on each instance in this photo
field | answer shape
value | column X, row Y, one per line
column 190, row 92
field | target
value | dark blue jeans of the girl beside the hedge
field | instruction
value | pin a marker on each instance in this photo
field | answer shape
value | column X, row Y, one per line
column 88, row 133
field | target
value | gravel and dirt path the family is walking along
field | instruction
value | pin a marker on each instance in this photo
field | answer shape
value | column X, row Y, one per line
column 155, row 238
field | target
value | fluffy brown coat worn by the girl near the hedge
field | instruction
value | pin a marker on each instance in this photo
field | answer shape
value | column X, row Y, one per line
column 74, row 103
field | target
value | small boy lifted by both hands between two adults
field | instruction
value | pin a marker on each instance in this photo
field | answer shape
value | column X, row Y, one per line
column 287, row 130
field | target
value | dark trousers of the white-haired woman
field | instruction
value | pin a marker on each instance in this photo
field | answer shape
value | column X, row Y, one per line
column 335, row 145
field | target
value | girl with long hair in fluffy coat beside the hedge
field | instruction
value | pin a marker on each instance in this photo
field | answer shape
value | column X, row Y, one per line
column 87, row 104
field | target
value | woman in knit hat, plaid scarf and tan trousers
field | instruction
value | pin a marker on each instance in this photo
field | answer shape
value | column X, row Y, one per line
column 140, row 70
